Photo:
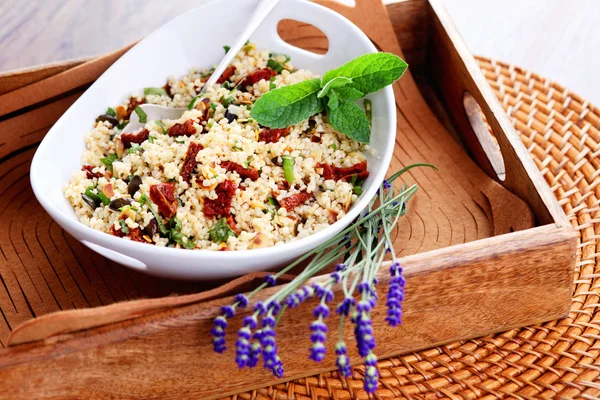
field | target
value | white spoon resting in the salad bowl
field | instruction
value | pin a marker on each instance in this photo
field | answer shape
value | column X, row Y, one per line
column 155, row 112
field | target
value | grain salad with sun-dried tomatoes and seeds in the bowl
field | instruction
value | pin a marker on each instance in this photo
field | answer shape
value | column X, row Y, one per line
column 215, row 179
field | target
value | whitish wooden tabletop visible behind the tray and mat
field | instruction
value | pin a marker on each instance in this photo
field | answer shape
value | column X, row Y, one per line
column 559, row 39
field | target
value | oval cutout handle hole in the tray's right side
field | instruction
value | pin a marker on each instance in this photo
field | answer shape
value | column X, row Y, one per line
column 489, row 146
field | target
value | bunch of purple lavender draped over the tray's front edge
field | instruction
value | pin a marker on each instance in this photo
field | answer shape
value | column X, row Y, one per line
column 363, row 246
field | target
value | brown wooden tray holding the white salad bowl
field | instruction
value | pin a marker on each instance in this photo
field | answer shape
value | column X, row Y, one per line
column 481, row 254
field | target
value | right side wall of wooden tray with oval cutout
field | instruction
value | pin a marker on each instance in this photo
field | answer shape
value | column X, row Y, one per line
column 466, row 91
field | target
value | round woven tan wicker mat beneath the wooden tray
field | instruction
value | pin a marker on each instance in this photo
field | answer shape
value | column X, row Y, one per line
column 559, row 359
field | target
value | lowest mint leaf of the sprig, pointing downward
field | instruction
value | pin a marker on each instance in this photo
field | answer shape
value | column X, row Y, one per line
column 349, row 119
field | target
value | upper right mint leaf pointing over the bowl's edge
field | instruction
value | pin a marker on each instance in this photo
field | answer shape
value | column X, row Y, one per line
column 370, row 72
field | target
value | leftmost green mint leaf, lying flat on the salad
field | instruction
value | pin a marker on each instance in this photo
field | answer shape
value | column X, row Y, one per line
column 288, row 105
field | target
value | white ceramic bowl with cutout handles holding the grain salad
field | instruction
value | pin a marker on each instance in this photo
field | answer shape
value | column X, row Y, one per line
column 195, row 39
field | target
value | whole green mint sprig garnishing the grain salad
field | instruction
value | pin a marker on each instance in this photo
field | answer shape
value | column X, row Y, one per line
column 337, row 93
